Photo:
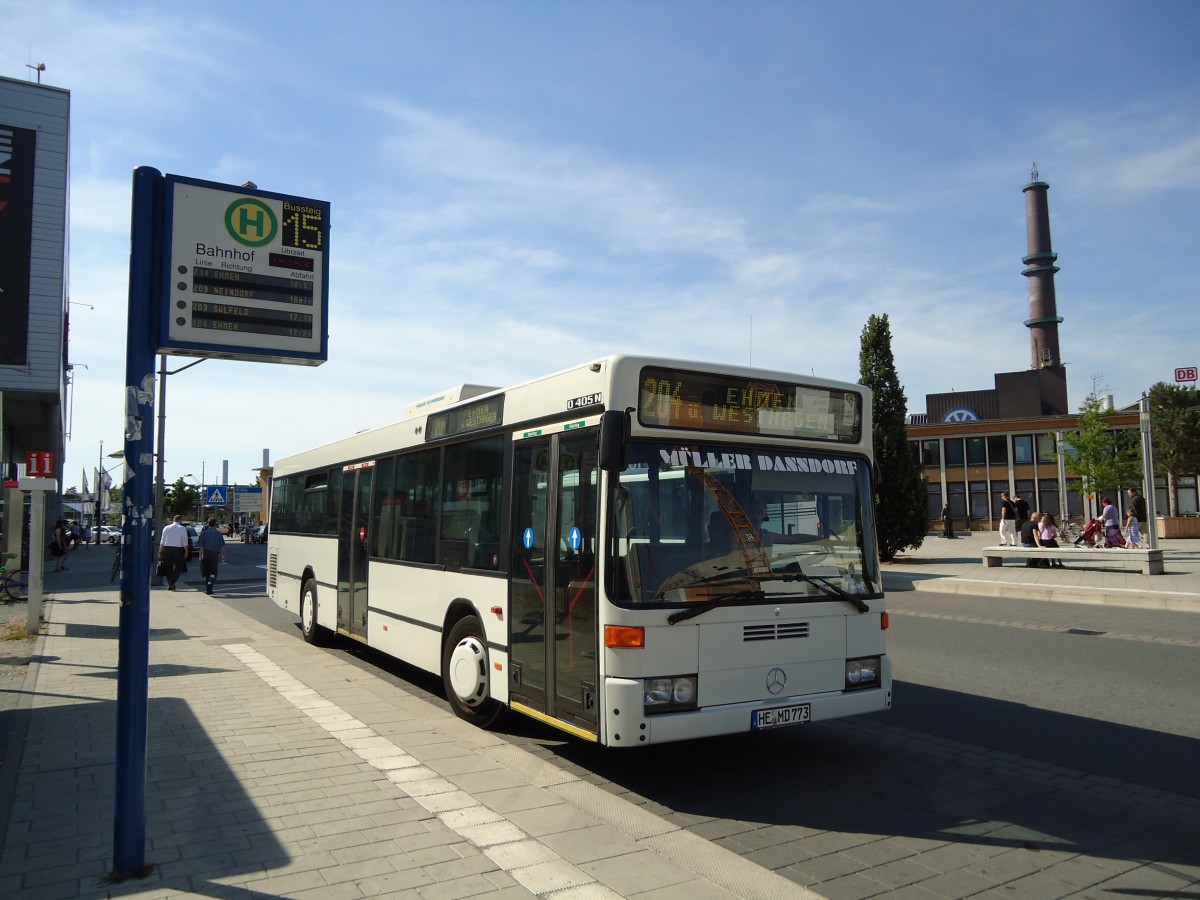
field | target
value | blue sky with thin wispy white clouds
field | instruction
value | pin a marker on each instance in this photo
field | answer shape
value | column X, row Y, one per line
column 521, row 187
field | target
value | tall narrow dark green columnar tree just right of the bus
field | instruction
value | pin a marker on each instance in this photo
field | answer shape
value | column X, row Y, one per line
column 902, row 515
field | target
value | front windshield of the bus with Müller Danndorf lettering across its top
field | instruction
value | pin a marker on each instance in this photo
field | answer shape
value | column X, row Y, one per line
column 701, row 523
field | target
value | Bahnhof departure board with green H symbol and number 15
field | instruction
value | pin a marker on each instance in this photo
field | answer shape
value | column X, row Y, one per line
column 248, row 274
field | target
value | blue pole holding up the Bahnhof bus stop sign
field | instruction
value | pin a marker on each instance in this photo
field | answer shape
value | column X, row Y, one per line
column 134, row 640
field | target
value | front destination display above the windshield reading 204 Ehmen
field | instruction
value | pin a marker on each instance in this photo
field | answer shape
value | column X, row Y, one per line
column 675, row 399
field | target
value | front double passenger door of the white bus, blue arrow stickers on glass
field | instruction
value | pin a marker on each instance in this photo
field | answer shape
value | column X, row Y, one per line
column 553, row 602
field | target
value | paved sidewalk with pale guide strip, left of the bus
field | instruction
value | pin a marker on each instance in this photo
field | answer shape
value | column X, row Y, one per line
column 275, row 770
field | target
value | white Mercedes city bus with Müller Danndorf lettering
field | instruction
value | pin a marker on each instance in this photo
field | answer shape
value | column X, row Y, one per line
column 634, row 550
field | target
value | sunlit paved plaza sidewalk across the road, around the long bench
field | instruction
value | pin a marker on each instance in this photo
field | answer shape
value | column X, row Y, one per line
column 957, row 567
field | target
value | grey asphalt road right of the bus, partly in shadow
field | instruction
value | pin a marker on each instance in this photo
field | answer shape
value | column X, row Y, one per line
column 1121, row 709
